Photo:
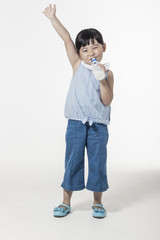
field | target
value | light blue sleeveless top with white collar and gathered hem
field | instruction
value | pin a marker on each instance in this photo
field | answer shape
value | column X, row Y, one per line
column 83, row 99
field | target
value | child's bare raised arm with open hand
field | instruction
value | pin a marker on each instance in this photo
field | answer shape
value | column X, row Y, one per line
column 63, row 33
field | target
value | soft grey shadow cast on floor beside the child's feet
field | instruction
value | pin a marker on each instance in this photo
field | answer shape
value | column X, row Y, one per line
column 126, row 189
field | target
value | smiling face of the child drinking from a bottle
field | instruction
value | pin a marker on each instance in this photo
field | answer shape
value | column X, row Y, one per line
column 93, row 50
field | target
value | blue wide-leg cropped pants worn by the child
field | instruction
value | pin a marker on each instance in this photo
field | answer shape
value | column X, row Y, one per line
column 94, row 138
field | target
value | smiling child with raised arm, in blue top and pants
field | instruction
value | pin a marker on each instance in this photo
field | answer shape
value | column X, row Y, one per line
column 87, row 109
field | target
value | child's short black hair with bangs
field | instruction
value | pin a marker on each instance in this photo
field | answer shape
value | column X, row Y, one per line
column 83, row 38
